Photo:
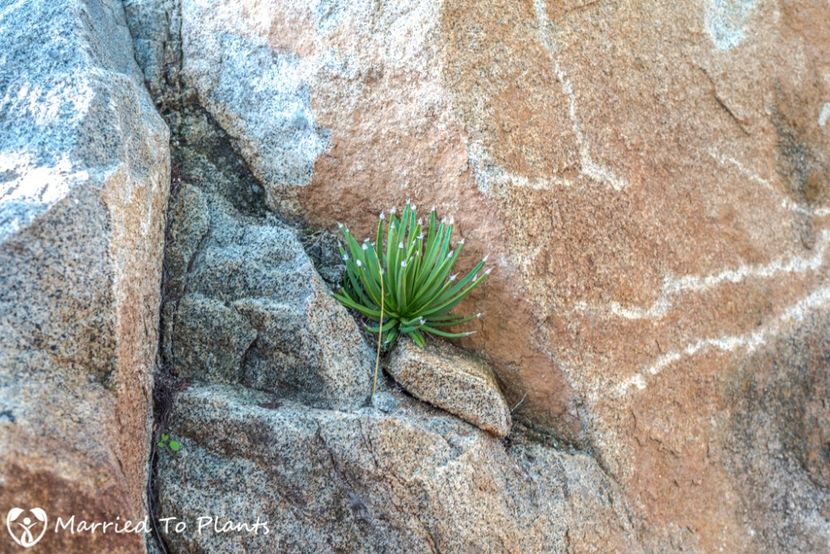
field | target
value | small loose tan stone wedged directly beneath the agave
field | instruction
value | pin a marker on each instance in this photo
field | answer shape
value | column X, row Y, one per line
column 452, row 380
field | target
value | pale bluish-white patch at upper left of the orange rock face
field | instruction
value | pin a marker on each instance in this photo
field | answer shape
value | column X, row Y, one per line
column 257, row 94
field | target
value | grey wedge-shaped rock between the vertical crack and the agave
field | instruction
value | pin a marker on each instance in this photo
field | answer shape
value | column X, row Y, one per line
column 243, row 302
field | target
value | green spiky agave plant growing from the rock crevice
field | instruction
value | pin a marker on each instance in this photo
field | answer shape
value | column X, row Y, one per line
column 403, row 280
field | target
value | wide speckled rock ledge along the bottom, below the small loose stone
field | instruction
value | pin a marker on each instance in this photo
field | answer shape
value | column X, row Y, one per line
column 413, row 480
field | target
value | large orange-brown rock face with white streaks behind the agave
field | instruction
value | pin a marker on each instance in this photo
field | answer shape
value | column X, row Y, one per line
column 652, row 181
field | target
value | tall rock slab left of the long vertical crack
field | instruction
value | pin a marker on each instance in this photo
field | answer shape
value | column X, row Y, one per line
column 84, row 177
